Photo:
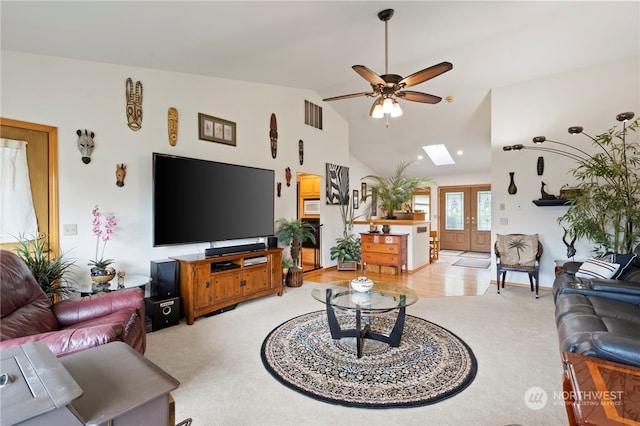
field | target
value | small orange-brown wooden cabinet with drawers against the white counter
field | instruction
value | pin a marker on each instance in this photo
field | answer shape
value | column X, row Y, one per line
column 384, row 250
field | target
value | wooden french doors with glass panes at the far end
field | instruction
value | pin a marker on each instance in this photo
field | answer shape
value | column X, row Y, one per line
column 465, row 218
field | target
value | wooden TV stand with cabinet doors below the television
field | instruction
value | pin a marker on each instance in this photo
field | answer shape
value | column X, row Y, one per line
column 208, row 284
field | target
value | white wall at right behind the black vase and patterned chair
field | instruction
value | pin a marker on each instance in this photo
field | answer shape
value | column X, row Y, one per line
column 589, row 97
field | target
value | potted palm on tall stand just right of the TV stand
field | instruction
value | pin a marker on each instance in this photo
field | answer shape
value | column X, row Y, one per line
column 292, row 233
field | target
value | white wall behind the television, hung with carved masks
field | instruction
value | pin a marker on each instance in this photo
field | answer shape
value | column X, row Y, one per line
column 71, row 95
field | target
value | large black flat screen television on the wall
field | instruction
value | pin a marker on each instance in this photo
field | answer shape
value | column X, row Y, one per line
column 197, row 201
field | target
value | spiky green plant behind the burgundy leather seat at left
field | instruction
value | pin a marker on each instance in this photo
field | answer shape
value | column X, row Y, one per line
column 48, row 270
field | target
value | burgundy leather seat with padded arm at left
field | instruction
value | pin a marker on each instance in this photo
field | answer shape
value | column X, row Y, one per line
column 69, row 326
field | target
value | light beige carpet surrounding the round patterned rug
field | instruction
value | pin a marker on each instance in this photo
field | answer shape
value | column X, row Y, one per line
column 223, row 381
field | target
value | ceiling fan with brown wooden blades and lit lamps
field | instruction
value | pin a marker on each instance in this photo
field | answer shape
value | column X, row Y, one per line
column 387, row 87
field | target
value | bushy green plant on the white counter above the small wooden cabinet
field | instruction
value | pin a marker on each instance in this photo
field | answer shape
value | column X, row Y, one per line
column 393, row 192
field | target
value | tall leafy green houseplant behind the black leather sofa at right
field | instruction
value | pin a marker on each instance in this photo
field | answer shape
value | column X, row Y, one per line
column 605, row 206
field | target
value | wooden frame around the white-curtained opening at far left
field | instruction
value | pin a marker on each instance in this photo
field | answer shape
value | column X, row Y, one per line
column 52, row 133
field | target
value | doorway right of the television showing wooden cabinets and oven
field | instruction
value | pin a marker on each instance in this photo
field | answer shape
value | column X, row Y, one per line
column 308, row 190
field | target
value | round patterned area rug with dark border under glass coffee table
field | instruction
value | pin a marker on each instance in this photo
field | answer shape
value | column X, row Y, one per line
column 431, row 363
